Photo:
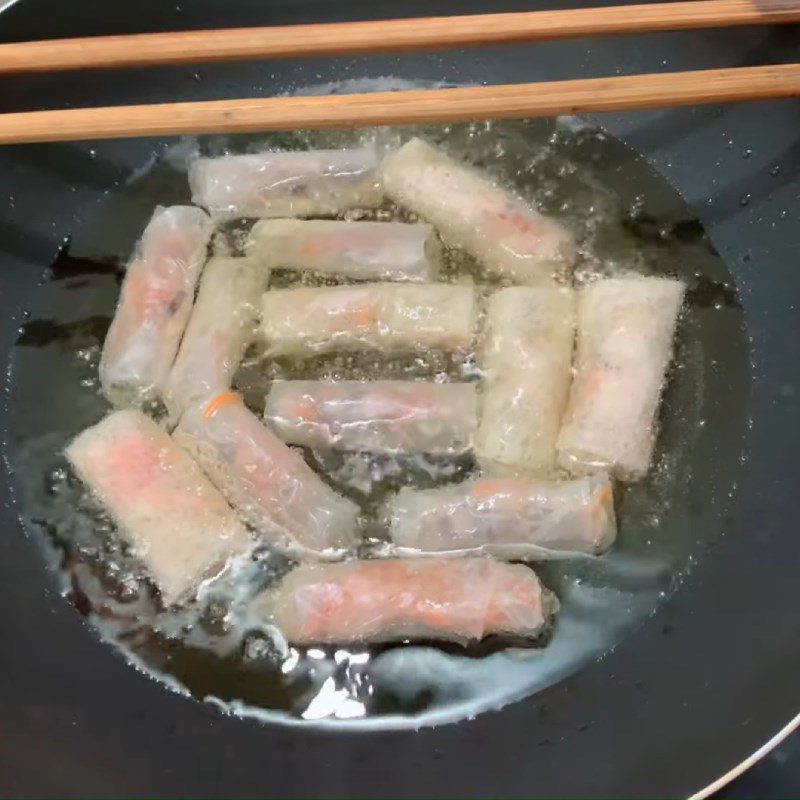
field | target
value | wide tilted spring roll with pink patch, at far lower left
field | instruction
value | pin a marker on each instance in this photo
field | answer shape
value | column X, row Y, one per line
column 178, row 524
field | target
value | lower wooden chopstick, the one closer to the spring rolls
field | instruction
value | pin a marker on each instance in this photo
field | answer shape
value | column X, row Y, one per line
column 622, row 93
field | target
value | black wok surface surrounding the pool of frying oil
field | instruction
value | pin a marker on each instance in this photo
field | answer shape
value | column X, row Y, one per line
column 678, row 704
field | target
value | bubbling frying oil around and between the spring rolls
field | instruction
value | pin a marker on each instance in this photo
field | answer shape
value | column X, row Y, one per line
column 218, row 649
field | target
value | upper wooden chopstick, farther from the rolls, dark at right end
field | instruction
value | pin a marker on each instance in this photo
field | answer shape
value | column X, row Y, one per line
column 152, row 49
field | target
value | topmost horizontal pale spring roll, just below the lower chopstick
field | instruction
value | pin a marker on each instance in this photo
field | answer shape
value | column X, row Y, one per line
column 287, row 184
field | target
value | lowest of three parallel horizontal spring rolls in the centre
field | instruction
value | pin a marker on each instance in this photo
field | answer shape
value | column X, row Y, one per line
column 377, row 416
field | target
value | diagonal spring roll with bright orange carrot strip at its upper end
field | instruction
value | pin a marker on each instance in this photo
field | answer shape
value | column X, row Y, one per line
column 270, row 485
